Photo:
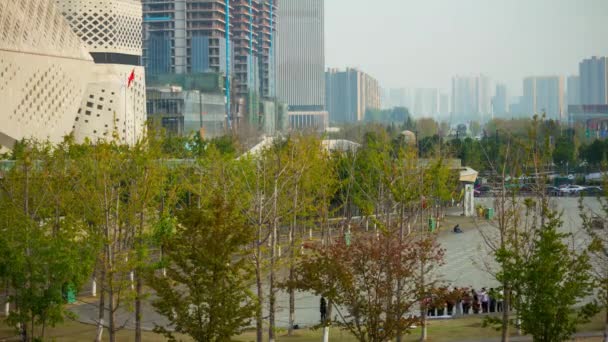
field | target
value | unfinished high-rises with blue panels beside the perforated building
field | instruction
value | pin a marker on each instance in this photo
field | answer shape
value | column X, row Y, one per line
column 190, row 37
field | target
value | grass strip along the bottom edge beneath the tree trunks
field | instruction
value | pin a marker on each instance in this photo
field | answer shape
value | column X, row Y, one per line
column 446, row 330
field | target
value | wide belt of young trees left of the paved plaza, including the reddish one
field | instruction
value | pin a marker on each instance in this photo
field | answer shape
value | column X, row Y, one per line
column 206, row 236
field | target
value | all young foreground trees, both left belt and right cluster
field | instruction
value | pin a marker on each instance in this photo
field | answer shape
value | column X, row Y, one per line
column 210, row 236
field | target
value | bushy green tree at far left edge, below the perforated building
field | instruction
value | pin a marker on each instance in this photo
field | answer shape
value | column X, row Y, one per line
column 45, row 248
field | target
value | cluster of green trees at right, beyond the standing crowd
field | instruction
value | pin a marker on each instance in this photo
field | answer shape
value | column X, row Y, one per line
column 553, row 277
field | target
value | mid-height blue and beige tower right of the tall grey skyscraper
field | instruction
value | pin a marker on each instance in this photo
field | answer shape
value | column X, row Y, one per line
column 349, row 94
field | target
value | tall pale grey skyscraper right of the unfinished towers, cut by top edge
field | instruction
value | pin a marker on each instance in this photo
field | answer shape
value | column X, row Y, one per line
column 301, row 61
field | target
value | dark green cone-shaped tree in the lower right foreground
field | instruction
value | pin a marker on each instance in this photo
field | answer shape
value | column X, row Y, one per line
column 551, row 283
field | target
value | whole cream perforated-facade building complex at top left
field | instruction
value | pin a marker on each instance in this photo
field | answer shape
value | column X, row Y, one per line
column 58, row 76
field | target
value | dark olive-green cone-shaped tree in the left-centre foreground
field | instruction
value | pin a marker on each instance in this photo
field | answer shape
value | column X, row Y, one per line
column 206, row 293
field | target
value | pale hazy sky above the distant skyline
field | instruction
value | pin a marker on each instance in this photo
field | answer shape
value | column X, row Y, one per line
column 423, row 43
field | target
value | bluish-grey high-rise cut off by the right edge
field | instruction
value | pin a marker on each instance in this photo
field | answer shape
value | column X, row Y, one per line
column 593, row 74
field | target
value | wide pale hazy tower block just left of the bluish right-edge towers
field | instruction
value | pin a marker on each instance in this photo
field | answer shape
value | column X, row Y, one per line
column 544, row 95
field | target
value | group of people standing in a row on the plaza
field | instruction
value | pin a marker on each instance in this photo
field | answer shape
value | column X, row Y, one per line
column 464, row 301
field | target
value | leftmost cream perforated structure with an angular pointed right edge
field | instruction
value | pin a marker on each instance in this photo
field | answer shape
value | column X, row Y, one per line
column 44, row 71
